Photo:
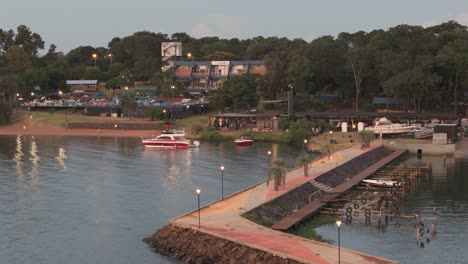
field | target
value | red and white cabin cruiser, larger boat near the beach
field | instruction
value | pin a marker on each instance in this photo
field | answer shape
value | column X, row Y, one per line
column 170, row 140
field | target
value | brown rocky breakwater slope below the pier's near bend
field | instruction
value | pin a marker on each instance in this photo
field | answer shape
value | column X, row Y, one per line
column 193, row 246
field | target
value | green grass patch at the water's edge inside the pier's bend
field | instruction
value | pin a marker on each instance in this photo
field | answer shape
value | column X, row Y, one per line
column 307, row 229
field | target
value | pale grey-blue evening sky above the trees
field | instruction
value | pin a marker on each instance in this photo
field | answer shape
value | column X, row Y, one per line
column 70, row 23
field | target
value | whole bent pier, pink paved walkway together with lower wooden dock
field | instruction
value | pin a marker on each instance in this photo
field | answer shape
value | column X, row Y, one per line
column 223, row 219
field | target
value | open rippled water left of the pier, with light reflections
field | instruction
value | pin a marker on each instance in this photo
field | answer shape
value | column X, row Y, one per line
column 93, row 200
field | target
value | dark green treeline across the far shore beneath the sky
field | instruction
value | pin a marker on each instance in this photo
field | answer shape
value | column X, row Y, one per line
column 427, row 68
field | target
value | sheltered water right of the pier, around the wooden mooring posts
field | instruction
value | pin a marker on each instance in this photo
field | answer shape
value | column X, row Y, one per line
column 446, row 189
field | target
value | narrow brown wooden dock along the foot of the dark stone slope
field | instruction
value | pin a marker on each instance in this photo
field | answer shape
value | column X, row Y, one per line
column 312, row 208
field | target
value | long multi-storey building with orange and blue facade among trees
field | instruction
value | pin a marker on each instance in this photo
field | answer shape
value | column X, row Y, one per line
column 201, row 76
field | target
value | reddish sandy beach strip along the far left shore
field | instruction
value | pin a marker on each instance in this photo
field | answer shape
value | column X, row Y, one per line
column 26, row 128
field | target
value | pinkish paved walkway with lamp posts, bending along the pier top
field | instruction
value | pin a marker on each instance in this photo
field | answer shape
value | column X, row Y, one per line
column 223, row 218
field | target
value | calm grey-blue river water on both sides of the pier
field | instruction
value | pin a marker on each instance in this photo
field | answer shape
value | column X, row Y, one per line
column 93, row 200
